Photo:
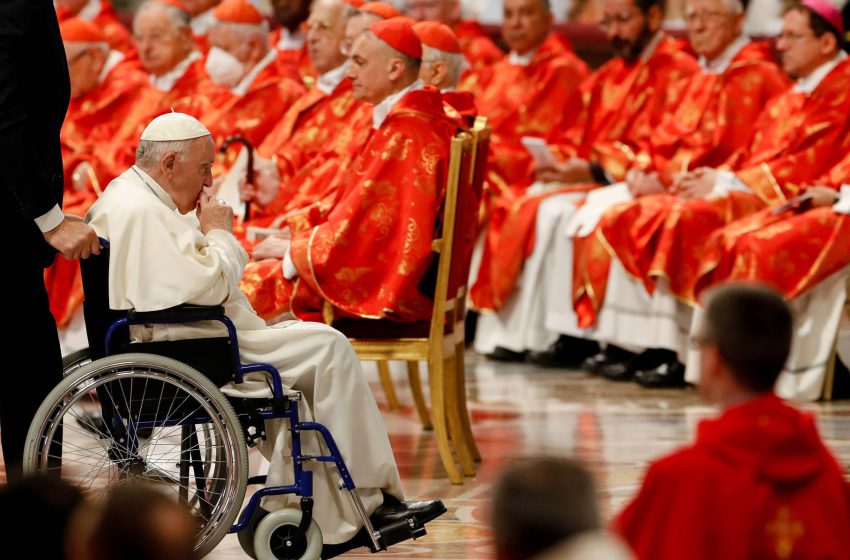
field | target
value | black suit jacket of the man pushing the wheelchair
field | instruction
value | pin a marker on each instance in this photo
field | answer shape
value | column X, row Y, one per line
column 34, row 94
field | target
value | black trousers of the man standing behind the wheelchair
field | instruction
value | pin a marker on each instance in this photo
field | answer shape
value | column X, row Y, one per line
column 33, row 360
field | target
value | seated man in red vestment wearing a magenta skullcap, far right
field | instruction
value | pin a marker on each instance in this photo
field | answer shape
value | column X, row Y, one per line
column 661, row 239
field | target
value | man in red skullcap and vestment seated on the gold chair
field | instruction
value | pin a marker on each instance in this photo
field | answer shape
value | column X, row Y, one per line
column 366, row 253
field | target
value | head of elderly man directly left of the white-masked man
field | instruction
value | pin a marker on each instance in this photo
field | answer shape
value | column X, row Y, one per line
column 163, row 36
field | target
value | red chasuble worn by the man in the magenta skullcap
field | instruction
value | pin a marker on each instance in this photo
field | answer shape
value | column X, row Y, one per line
column 798, row 138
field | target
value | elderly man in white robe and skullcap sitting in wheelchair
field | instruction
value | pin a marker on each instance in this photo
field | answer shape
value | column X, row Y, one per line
column 171, row 243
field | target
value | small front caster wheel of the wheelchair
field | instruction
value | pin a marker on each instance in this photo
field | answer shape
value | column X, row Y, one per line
column 271, row 539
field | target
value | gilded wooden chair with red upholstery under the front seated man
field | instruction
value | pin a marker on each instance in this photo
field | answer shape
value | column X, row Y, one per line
column 439, row 340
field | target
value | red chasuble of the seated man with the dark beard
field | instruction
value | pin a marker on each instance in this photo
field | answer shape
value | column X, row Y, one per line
column 622, row 105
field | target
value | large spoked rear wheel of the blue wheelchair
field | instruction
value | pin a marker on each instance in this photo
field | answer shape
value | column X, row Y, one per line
column 163, row 423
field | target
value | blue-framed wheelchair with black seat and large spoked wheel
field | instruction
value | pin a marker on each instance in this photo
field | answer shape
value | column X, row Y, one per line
column 145, row 412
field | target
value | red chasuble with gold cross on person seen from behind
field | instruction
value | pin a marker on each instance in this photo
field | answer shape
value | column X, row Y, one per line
column 757, row 483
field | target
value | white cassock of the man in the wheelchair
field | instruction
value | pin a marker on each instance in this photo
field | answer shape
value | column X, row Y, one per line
column 160, row 259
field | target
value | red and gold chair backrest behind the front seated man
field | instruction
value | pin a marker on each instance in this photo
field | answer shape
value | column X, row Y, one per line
column 467, row 168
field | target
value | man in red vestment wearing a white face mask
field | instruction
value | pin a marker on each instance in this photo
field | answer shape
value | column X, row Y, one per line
column 241, row 60
